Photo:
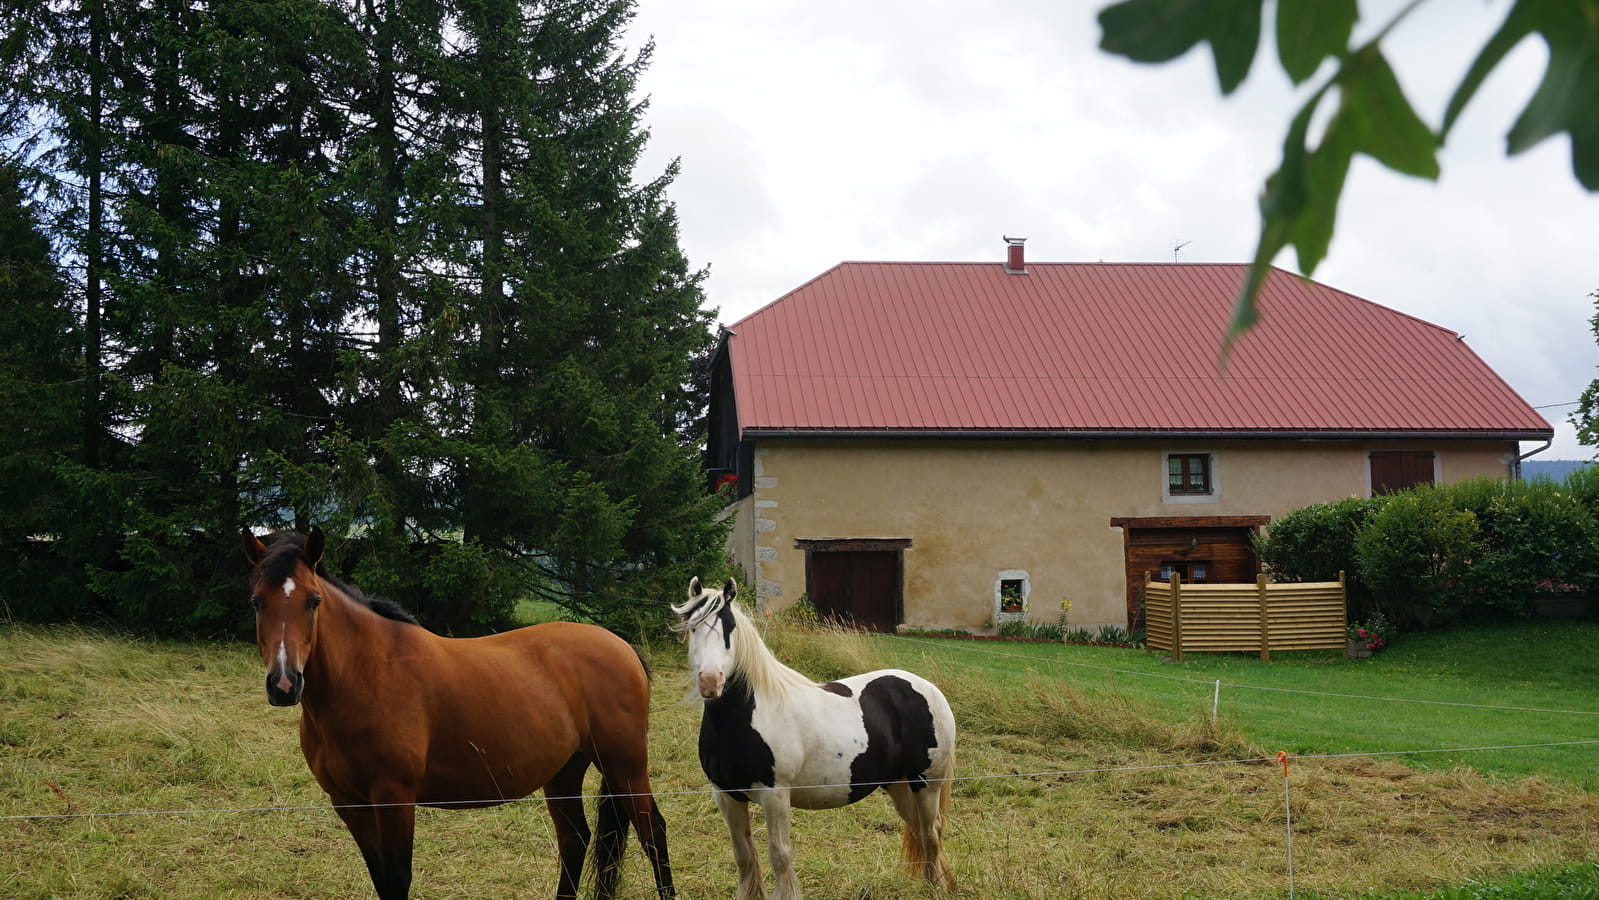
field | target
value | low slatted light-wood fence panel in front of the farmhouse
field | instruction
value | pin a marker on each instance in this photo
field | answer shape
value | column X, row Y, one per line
column 1264, row 616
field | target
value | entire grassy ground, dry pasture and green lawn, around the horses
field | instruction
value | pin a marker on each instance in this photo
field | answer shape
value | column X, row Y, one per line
column 181, row 783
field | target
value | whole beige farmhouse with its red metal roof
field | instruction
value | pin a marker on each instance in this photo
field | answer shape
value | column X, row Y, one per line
column 963, row 444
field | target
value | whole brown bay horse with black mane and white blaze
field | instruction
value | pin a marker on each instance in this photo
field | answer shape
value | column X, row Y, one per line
column 396, row 717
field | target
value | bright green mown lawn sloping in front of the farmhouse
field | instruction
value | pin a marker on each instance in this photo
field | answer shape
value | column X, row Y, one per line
column 1526, row 683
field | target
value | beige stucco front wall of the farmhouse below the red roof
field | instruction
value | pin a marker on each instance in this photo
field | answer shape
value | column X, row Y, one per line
column 976, row 509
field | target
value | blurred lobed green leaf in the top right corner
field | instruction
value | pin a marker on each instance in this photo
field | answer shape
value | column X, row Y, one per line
column 1565, row 100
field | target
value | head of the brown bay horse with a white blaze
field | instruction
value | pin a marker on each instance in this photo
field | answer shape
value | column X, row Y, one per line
column 285, row 594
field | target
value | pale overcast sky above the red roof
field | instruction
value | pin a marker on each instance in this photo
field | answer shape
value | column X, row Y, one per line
column 818, row 132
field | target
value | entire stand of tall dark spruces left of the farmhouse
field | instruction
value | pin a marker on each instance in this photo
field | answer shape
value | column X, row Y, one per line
column 373, row 265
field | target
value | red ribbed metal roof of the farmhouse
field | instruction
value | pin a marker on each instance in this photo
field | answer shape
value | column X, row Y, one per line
column 1075, row 348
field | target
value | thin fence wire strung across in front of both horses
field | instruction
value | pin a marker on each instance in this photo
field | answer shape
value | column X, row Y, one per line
column 711, row 792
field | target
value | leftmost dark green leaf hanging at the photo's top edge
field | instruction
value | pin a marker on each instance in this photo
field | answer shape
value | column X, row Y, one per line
column 1157, row 31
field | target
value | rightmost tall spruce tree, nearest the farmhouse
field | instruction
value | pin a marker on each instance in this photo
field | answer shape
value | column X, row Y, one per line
column 583, row 324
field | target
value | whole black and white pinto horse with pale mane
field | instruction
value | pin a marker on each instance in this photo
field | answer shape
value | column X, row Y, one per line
column 780, row 739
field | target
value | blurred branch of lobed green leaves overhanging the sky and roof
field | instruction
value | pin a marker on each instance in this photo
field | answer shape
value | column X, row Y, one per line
column 1301, row 199
